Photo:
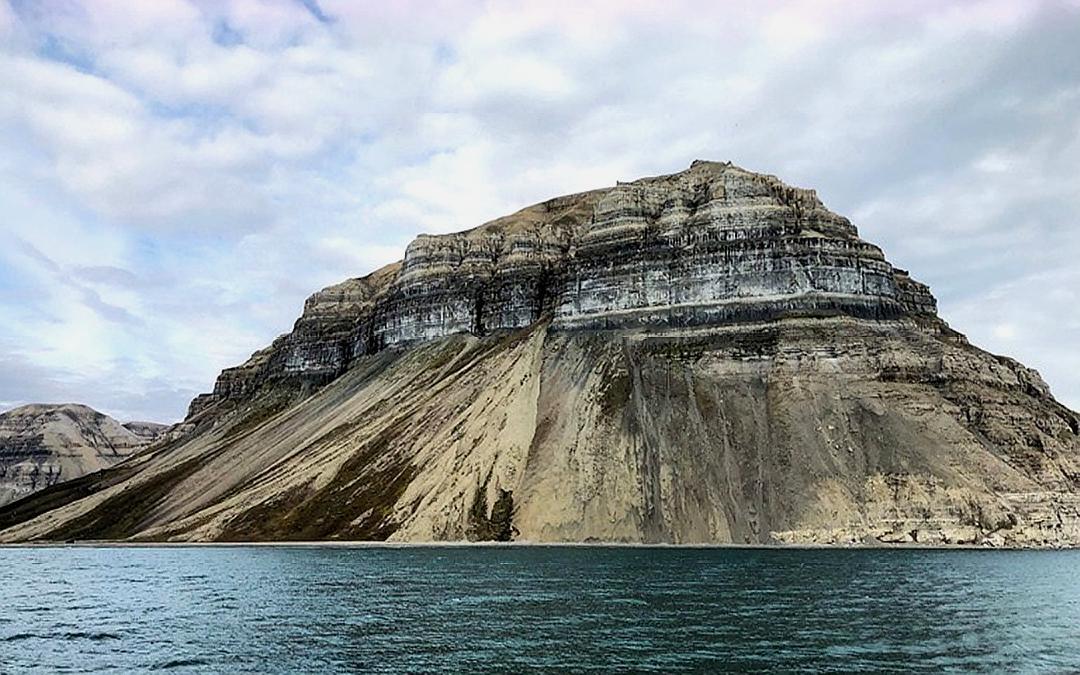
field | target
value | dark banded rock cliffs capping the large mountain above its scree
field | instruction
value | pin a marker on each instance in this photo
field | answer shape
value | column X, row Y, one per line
column 710, row 246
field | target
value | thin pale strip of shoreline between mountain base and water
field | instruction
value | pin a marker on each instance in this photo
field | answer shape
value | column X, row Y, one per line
column 511, row 545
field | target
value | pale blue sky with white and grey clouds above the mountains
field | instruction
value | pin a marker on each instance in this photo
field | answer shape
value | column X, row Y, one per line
column 177, row 177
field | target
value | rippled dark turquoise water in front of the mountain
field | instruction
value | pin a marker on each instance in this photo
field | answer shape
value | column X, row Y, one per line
column 558, row 610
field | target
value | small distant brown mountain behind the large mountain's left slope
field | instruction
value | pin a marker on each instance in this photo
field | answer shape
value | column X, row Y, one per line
column 43, row 445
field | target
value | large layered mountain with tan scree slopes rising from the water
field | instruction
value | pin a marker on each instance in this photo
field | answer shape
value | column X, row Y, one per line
column 705, row 357
